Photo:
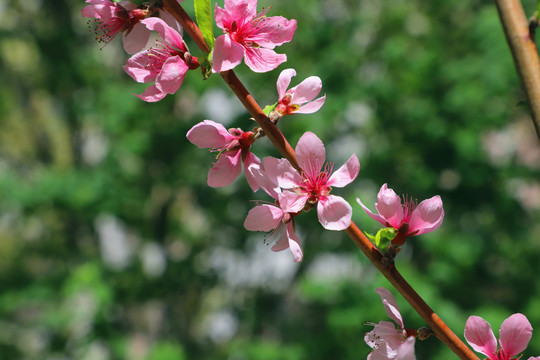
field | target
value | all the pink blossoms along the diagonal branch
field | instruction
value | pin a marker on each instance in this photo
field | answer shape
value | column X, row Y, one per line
column 251, row 36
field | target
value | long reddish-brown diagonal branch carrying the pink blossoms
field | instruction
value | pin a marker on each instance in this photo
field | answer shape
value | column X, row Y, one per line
column 435, row 323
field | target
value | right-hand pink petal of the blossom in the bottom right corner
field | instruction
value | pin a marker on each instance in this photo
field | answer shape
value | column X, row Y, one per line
column 515, row 334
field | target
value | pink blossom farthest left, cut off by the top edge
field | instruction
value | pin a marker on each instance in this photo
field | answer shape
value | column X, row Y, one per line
column 111, row 18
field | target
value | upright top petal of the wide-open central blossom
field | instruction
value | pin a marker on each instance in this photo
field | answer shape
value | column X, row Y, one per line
column 310, row 153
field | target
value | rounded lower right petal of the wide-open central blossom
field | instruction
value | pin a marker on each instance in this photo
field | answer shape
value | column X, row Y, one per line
column 334, row 213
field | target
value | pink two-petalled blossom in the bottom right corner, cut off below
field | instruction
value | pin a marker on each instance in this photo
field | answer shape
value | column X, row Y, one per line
column 514, row 336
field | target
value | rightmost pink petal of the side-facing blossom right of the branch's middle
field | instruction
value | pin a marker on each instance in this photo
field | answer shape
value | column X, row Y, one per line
column 427, row 216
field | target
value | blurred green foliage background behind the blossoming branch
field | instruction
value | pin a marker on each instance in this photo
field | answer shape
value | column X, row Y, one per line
column 112, row 246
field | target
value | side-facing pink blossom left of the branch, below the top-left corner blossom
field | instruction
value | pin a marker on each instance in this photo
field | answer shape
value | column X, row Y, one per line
column 165, row 64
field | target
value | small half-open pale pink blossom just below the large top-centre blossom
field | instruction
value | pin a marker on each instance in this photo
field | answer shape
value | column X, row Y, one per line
column 298, row 99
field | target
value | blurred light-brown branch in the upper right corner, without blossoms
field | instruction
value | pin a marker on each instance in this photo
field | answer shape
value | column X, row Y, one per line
column 524, row 52
